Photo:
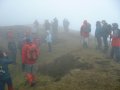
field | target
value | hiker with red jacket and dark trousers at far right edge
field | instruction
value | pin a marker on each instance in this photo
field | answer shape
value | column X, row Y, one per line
column 115, row 51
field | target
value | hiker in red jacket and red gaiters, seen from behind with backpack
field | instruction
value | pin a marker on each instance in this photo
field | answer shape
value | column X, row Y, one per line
column 29, row 56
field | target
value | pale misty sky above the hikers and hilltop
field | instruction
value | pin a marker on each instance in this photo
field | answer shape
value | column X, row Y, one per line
column 19, row 12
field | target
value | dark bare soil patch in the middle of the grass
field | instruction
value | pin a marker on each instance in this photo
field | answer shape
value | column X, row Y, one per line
column 62, row 66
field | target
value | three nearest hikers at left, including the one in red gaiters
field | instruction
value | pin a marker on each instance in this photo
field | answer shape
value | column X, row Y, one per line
column 29, row 52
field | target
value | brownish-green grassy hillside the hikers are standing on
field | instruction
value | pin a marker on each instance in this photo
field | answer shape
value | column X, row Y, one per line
column 70, row 67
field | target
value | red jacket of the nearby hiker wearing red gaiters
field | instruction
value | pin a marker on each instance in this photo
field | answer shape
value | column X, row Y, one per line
column 25, row 50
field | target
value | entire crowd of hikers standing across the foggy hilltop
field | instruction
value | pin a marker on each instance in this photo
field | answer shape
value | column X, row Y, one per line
column 29, row 45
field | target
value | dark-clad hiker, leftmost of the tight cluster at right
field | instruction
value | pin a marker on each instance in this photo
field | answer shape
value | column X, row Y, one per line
column 98, row 35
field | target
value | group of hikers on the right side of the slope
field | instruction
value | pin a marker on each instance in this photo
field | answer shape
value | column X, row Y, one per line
column 107, row 37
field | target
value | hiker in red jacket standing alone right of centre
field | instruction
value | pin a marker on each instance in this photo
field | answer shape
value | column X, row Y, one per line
column 84, row 32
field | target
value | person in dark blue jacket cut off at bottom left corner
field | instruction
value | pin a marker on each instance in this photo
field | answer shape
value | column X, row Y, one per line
column 5, row 77
